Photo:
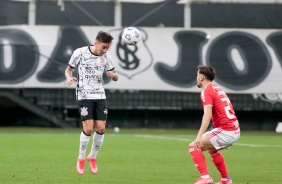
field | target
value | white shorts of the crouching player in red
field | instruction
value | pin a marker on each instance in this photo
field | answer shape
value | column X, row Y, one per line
column 222, row 139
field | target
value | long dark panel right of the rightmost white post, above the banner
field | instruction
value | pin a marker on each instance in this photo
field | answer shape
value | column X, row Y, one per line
column 236, row 15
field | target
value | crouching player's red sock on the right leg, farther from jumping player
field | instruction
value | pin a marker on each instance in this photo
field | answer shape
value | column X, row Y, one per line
column 219, row 162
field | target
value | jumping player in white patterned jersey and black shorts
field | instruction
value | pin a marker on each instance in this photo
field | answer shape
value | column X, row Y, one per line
column 90, row 63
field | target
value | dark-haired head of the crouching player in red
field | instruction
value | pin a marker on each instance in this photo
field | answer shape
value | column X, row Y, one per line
column 205, row 74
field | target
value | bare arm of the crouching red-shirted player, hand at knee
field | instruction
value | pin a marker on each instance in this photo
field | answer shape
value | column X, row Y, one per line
column 205, row 124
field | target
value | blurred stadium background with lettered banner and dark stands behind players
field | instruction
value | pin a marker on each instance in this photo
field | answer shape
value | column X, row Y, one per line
column 37, row 38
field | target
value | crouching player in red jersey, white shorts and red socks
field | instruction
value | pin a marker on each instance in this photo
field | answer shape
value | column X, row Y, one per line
column 218, row 108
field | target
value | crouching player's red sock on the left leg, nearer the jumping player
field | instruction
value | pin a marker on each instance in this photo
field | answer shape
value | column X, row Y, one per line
column 199, row 160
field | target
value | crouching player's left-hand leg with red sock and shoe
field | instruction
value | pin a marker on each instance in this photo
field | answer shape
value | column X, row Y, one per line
column 199, row 160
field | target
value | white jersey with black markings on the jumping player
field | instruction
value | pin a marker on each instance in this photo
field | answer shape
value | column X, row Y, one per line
column 90, row 69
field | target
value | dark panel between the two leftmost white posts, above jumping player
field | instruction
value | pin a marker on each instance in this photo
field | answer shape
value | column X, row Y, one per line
column 75, row 13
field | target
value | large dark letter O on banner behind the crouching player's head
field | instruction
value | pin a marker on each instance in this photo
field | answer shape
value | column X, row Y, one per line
column 253, row 54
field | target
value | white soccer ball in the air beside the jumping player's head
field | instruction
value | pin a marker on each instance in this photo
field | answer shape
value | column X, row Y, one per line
column 131, row 36
